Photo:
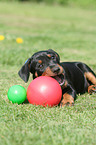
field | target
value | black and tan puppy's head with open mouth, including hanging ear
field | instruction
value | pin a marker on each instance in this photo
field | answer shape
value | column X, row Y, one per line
column 43, row 63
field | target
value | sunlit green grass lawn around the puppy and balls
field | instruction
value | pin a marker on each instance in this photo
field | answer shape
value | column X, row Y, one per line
column 72, row 33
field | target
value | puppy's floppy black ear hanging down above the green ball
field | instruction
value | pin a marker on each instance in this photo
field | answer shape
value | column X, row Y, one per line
column 24, row 72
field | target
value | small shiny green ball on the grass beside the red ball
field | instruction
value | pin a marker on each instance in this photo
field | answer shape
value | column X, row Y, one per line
column 17, row 94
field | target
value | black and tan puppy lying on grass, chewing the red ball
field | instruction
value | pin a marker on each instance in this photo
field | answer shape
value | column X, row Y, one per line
column 73, row 77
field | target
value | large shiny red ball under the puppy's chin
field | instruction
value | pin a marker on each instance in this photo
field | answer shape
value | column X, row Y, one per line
column 44, row 91
